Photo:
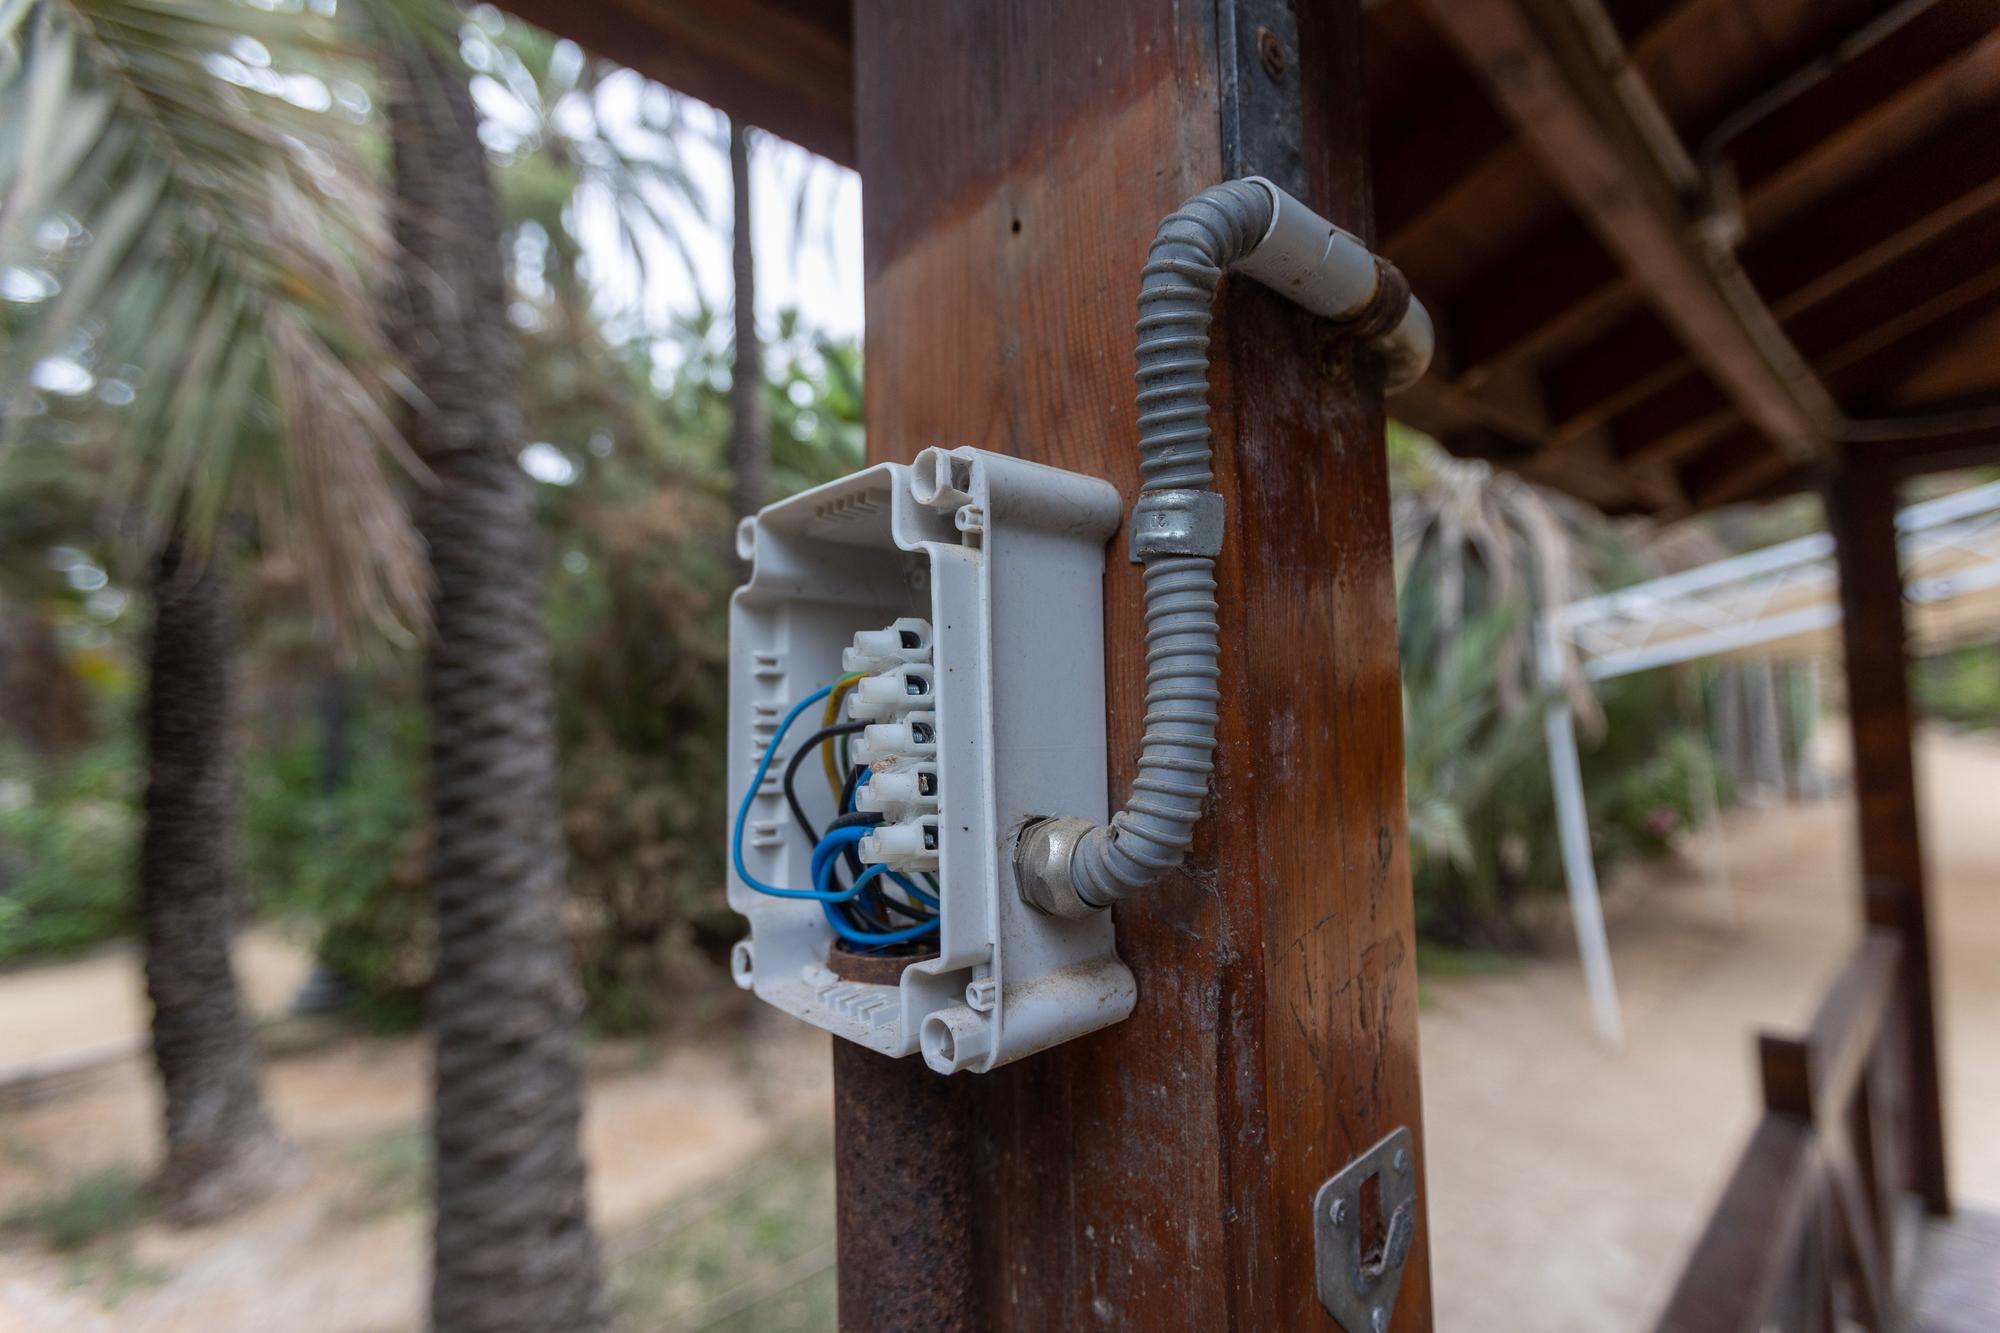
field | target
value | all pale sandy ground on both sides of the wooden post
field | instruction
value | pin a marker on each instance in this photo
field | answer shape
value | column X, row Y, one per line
column 1565, row 1182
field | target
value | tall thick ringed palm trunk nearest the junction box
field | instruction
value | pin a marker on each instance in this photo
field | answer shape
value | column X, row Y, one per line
column 513, row 1246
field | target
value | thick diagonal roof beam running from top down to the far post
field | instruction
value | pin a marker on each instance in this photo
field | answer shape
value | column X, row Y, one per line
column 1607, row 161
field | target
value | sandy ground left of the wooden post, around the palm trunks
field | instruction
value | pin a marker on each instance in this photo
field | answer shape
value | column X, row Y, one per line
column 347, row 1250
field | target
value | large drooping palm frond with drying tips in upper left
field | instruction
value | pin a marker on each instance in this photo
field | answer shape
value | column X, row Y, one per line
column 187, row 181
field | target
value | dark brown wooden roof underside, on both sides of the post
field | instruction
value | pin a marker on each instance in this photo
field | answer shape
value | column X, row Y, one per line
column 1681, row 251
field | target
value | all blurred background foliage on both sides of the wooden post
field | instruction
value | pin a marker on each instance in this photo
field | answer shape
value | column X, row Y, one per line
column 629, row 439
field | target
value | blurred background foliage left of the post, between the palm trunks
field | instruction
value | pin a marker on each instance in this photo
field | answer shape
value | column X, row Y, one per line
column 627, row 427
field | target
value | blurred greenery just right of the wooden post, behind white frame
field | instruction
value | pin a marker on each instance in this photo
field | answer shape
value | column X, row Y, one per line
column 1479, row 555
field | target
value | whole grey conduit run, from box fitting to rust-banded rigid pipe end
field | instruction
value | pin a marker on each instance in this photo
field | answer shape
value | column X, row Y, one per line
column 1069, row 868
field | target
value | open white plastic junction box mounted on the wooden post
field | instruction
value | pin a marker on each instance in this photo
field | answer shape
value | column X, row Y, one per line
column 1001, row 563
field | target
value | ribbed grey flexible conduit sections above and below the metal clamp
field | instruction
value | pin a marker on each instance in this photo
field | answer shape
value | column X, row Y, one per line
column 1151, row 836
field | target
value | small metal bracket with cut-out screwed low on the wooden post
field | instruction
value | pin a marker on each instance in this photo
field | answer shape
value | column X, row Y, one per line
column 1359, row 1288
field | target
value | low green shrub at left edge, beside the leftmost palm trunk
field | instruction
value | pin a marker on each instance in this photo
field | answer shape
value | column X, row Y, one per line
column 69, row 836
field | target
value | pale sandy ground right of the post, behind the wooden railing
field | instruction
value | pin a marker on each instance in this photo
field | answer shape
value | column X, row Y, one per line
column 1567, row 1182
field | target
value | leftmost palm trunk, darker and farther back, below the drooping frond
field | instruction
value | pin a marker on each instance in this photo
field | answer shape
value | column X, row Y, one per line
column 221, row 1148
